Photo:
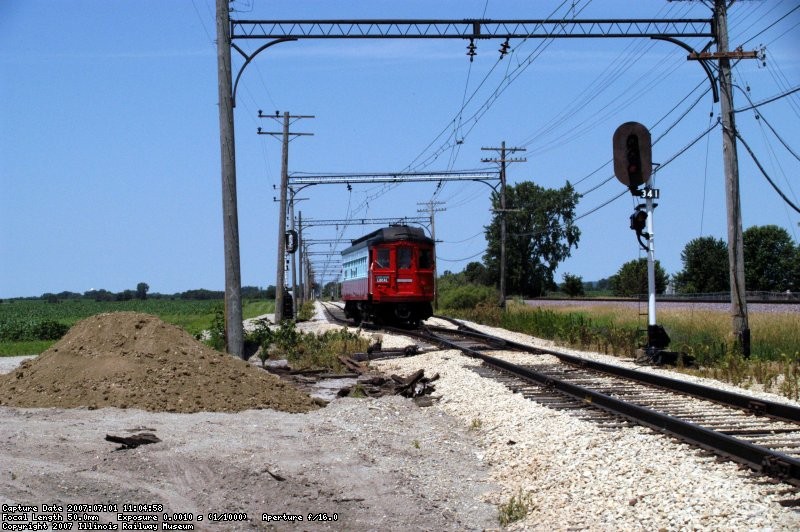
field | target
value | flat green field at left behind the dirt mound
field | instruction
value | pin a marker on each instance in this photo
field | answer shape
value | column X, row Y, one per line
column 19, row 317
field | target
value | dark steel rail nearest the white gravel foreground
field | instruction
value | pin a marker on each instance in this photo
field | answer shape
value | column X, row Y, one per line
column 761, row 459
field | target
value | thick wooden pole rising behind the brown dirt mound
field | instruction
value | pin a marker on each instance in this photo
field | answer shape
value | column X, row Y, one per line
column 230, row 218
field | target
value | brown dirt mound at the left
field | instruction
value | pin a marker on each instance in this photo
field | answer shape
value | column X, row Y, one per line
column 133, row 360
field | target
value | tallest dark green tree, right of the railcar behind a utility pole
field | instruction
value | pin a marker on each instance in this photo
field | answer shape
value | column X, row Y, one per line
column 539, row 236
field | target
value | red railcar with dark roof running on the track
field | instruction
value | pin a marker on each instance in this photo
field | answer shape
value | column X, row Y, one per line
column 387, row 276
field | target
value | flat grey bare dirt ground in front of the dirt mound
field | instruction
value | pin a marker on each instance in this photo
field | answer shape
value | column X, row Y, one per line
column 373, row 464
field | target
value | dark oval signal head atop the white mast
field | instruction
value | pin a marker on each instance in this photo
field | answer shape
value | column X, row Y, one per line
column 632, row 154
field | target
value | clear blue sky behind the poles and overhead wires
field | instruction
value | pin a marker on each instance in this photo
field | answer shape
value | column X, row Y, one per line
column 109, row 150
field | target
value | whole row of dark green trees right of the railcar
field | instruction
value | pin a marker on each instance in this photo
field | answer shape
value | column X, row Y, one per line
column 541, row 234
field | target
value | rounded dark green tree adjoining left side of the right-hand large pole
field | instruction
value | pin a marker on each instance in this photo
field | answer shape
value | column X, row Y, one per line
column 705, row 267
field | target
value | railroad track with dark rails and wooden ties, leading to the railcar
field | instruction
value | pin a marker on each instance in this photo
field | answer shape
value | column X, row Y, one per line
column 762, row 435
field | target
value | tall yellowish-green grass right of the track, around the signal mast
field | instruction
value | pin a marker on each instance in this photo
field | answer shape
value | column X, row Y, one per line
column 774, row 364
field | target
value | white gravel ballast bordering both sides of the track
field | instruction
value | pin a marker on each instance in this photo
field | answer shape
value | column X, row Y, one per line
column 576, row 475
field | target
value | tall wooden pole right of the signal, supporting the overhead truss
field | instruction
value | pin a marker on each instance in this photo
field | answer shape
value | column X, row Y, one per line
column 741, row 330
